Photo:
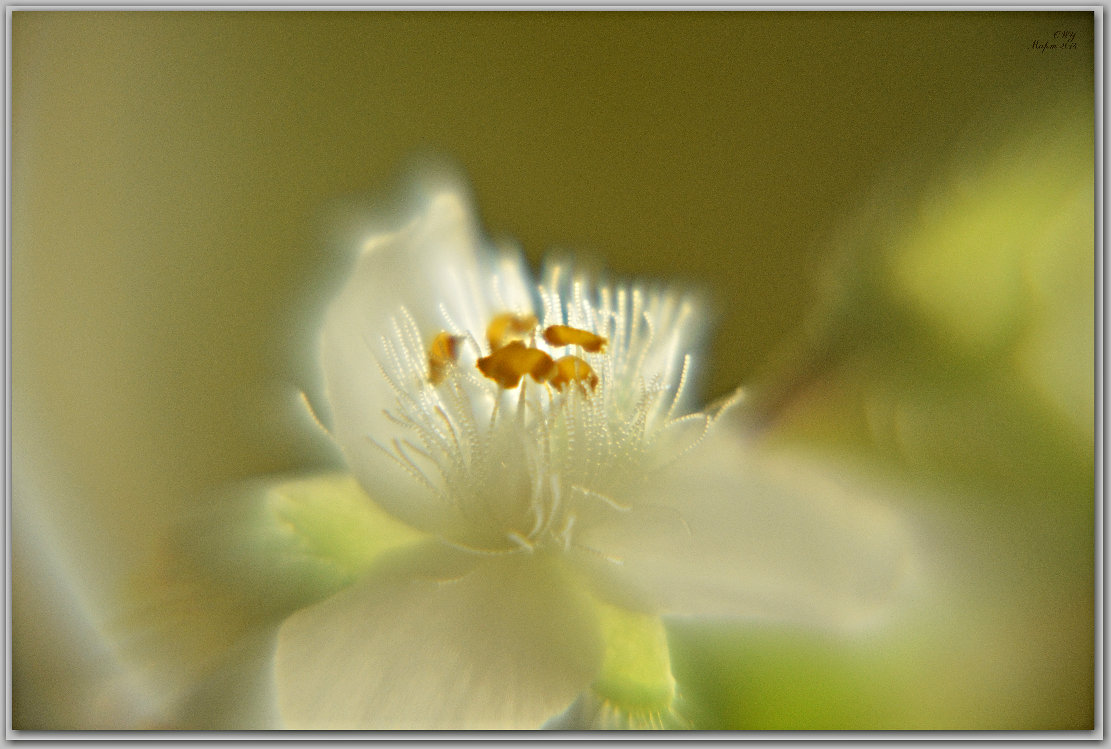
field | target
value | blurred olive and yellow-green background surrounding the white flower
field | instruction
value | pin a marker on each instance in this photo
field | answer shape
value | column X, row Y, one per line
column 890, row 213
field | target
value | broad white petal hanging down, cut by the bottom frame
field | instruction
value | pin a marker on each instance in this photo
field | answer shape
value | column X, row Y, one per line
column 507, row 646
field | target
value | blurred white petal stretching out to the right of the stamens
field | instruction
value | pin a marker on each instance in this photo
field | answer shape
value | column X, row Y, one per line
column 729, row 533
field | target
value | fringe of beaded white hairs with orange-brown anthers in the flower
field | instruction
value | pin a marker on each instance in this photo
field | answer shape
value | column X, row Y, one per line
column 538, row 430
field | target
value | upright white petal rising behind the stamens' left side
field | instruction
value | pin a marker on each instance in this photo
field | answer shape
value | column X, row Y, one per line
column 439, row 262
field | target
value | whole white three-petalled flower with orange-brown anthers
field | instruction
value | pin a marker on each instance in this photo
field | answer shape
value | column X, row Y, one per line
column 589, row 481
